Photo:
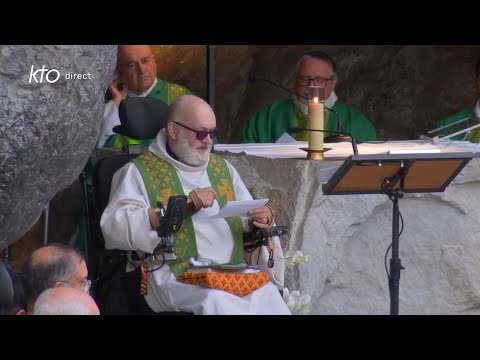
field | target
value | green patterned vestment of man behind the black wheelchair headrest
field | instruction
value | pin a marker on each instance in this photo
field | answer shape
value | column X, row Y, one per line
column 167, row 92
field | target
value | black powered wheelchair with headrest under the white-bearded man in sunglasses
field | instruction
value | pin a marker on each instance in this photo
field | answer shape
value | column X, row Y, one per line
column 115, row 290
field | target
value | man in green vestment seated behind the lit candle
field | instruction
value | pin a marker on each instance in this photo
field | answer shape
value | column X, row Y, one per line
column 315, row 68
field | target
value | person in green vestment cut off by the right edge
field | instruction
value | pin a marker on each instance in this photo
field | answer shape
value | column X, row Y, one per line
column 470, row 113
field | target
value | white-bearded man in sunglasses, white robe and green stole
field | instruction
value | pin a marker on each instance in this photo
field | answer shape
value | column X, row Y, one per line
column 180, row 162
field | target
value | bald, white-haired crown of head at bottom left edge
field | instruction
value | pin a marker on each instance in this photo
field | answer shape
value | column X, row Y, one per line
column 65, row 301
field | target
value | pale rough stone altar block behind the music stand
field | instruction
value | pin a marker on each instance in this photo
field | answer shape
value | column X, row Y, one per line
column 347, row 237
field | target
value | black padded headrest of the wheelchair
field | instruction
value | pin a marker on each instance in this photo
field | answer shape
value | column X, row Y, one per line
column 141, row 117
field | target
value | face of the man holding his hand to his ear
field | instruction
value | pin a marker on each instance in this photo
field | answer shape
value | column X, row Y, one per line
column 136, row 67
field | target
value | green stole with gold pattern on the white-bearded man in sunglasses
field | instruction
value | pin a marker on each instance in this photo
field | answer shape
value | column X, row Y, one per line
column 161, row 181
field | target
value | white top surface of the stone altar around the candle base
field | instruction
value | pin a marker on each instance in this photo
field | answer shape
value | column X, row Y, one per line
column 344, row 149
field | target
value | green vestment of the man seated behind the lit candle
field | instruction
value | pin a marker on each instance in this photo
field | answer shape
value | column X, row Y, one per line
column 269, row 123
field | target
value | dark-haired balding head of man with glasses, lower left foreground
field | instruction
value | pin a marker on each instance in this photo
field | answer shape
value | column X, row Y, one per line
column 54, row 265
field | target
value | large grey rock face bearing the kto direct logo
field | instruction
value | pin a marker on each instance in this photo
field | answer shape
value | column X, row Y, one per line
column 51, row 110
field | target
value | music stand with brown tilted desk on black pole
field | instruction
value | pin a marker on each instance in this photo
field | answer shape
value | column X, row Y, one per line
column 395, row 175
